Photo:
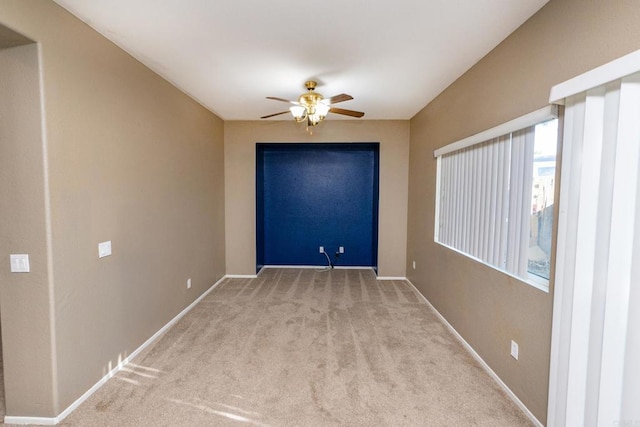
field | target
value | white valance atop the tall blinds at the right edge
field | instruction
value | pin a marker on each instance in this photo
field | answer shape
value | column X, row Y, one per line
column 604, row 74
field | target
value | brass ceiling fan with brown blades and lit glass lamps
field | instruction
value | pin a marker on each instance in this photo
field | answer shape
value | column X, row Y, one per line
column 313, row 107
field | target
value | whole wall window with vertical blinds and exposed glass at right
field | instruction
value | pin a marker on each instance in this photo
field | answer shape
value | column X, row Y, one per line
column 495, row 196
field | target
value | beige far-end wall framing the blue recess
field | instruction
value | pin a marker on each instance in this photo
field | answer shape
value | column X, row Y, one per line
column 240, row 164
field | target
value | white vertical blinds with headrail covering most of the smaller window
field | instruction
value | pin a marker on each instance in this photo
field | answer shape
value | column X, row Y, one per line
column 484, row 194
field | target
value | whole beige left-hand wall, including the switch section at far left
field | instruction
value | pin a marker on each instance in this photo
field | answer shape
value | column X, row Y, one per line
column 132, row 160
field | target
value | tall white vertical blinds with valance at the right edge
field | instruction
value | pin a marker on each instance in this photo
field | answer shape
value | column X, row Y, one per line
column 595, row 344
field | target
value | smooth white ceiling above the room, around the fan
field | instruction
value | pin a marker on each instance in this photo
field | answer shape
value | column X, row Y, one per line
column 392, row 56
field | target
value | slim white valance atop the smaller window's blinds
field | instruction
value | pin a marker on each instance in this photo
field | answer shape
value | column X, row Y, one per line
column 547, row 113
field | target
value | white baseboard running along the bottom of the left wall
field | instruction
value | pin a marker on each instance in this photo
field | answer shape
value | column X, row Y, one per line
column 8, row 419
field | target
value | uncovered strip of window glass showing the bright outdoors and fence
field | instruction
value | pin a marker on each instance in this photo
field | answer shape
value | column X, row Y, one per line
column 542, row 198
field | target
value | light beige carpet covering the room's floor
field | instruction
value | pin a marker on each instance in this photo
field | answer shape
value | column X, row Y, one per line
column 304, row 348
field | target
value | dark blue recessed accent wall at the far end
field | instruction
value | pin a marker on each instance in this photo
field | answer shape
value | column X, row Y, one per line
column 311, row 195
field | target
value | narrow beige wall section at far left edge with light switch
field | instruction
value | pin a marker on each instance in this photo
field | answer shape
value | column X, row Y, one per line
column 24, row 298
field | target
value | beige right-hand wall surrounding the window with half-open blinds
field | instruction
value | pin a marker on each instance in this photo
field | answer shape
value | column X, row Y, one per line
column 488, row 308
